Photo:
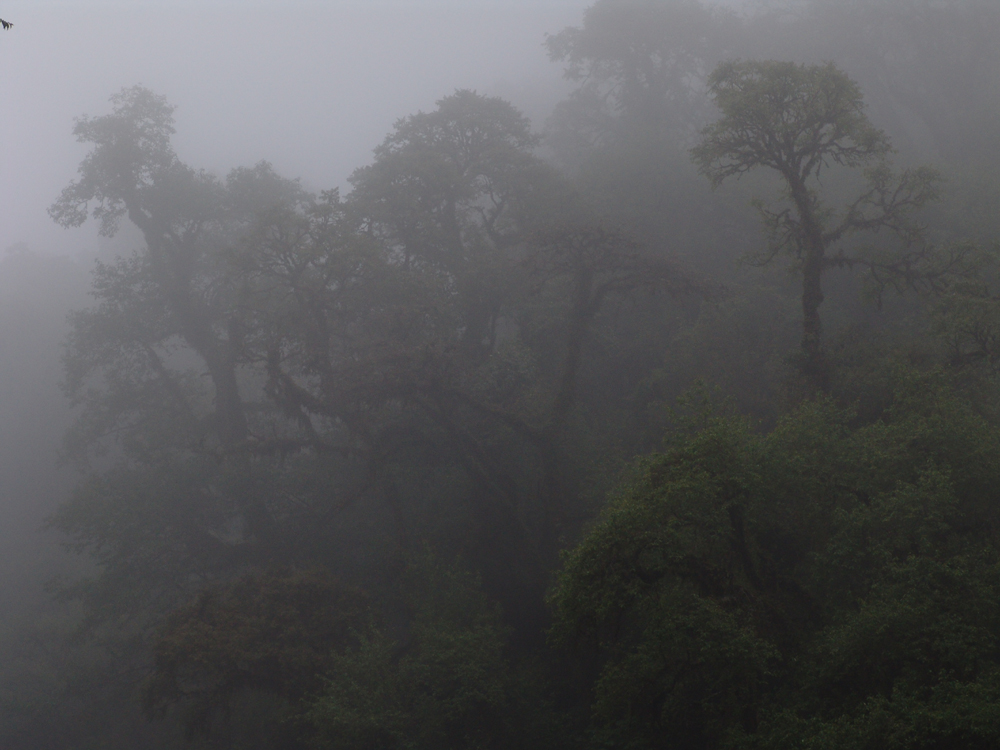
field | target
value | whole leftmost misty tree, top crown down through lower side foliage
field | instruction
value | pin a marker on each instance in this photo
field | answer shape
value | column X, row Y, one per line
column 160, row 367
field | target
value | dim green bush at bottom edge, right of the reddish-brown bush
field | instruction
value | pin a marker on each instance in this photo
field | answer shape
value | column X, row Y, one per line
column 447, row 685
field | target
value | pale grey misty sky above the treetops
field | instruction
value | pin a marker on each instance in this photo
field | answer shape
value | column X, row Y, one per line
column 310, row 86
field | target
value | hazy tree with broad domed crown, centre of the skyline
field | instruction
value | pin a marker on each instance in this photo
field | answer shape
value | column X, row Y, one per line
column 453, row 191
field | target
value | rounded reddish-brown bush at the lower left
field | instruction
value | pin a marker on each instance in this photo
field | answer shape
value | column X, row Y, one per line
column 274, row 633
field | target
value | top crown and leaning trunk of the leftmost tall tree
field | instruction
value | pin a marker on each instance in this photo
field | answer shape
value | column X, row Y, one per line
column 132, row 172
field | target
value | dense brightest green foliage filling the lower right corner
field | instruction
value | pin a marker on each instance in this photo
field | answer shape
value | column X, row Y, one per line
column 770, row 590
